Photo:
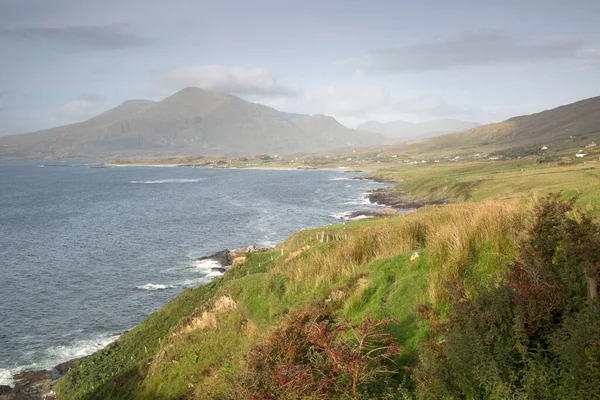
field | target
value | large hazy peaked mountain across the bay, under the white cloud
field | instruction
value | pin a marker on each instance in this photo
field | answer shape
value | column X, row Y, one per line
column 192, row 121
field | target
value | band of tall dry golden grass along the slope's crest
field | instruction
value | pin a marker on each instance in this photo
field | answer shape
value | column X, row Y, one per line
column 451, row 238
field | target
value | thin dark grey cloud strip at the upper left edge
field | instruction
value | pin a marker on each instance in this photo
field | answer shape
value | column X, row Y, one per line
column 93, row 37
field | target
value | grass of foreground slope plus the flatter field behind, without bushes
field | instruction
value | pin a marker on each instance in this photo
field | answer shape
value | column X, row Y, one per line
column 193, row 349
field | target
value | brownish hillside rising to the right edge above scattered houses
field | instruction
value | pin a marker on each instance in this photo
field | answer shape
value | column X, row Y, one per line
column 564, row 126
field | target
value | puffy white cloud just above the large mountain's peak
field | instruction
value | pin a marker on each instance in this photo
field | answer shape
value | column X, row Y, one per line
column 234, row 80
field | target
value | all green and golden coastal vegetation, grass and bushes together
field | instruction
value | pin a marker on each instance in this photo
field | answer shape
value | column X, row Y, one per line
column 491, row 296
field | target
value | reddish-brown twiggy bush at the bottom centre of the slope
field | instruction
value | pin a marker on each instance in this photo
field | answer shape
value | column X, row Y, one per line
column 313, row 356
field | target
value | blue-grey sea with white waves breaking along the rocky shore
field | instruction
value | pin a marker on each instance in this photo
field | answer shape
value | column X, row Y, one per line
column 87, row 253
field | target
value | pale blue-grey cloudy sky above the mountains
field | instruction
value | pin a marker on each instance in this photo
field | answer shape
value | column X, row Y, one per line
column 63, row 61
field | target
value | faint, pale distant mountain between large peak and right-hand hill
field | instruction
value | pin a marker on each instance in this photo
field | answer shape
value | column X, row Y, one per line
column 407, row 131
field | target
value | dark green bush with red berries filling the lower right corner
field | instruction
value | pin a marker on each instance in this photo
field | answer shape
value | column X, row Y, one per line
column 534, row 333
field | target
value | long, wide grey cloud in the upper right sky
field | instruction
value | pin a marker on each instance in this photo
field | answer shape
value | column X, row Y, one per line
column 483, row 48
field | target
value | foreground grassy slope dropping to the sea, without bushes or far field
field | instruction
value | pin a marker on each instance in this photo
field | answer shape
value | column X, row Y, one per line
column 363, row 268
